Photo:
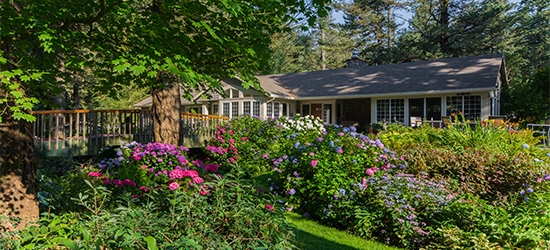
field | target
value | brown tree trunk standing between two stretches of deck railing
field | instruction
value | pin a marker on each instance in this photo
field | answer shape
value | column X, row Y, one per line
column 166, row 111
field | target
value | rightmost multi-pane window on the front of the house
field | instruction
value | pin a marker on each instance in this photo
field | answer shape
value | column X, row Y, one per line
column 469, row 105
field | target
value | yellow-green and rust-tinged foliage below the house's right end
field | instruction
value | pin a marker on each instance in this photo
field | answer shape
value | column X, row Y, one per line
column 492, row 162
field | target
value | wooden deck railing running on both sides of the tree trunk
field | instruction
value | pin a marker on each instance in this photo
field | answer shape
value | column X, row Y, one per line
column 85, row 132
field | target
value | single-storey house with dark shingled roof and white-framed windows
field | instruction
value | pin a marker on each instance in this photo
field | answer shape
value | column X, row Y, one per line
column 369, row 94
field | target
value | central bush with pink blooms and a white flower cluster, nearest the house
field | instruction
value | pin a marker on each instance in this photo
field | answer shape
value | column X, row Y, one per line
column 250, row 142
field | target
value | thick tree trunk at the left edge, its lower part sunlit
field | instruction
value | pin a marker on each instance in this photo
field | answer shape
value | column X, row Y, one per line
column 17, row 174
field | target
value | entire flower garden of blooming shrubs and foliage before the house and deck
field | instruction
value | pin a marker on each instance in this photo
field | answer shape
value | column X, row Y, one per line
column 457, row 188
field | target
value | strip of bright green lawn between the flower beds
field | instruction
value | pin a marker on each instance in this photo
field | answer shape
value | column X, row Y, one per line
column 311, row 235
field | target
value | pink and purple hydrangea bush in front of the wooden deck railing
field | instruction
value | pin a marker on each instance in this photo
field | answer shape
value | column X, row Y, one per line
column 139, row 168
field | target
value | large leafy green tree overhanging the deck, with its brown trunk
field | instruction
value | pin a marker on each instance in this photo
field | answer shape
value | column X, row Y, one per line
column 165, row 45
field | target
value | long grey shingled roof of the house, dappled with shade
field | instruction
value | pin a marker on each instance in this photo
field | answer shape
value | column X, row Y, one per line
column 464, row 74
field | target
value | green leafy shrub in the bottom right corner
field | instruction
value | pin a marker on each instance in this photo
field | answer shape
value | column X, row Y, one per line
column 469, row 222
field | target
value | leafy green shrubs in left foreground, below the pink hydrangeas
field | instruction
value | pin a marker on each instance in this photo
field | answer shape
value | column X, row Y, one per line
column 232, row 216
